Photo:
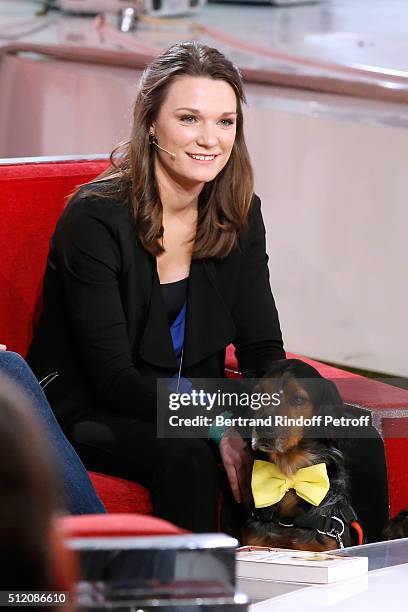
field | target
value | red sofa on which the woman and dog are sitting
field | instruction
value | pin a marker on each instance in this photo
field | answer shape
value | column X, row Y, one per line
column 32, row 195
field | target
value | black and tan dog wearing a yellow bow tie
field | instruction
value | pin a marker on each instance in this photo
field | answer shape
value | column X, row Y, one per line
column 295, row 521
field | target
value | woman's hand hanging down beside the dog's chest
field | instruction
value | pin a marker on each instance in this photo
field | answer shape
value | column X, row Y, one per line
column 237, row 461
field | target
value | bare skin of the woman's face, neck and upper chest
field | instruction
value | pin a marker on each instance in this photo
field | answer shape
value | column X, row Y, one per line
column 201, row 144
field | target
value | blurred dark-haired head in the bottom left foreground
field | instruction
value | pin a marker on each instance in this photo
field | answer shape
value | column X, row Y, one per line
column 30, row 550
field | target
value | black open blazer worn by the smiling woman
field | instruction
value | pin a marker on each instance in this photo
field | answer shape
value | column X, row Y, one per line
column 104, row 327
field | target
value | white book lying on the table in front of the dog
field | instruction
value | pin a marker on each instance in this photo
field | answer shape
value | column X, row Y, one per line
column 297, row 565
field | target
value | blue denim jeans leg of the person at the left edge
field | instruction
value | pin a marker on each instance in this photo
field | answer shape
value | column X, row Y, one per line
column 80, row 495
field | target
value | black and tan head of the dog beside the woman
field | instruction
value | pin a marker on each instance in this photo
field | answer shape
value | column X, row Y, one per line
column 304, row 395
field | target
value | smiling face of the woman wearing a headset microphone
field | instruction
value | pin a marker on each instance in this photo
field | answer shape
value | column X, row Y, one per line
column 197, row 123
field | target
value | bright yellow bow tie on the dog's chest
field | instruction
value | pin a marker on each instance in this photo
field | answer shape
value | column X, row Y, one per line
column 269, row 485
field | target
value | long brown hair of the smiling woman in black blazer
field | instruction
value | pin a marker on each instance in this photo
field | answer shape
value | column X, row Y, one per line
column 224, row 202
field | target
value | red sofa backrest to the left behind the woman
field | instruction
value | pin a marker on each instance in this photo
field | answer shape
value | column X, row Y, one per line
column 32, row 196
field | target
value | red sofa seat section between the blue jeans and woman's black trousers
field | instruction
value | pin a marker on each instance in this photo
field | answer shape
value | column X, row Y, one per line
column 119, row 495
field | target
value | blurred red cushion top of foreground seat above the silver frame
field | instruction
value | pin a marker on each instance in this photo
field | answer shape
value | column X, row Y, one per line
column 115, row 525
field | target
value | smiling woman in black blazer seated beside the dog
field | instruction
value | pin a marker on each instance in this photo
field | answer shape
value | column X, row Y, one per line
column 153, row 270
